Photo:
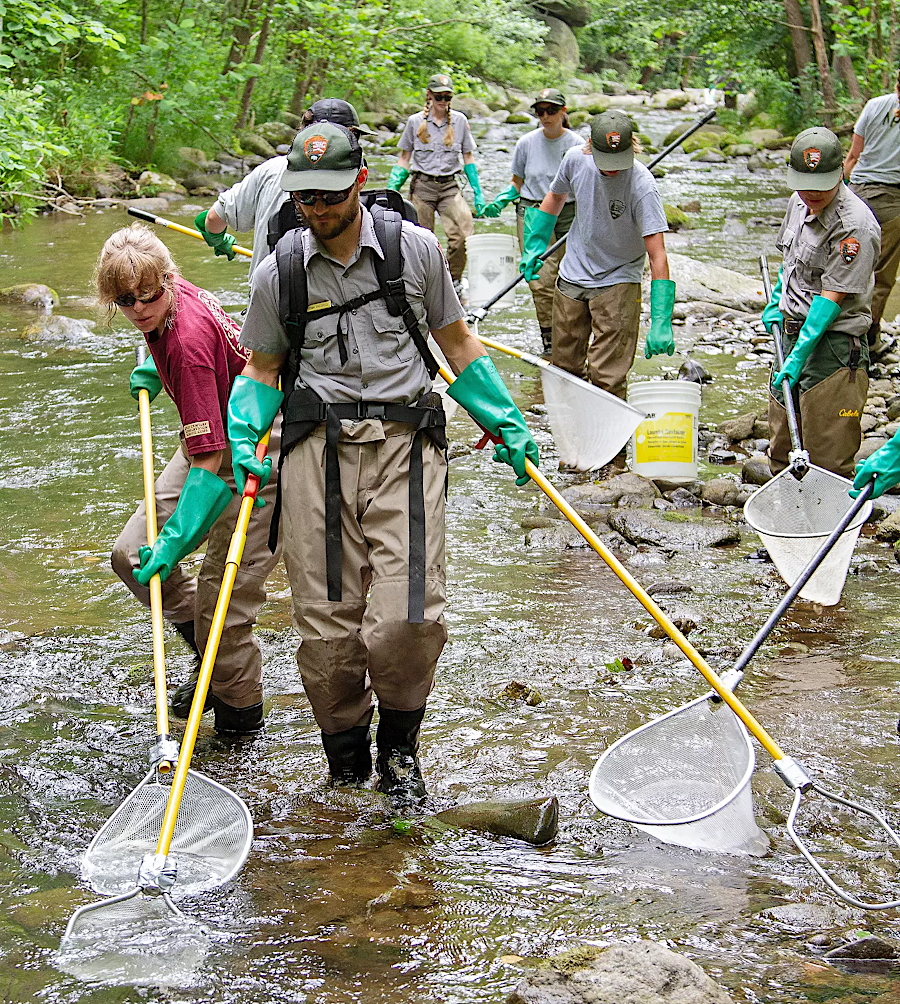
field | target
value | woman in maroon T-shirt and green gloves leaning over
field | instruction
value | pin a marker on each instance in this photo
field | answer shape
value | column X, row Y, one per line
column 195, row 356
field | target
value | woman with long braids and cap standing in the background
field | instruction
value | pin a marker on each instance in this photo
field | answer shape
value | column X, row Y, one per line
column 436, row 144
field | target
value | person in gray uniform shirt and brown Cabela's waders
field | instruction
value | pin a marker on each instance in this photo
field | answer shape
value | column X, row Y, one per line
column 822, row 301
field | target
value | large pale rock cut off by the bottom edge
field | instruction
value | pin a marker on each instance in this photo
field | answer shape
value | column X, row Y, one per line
column 640, row 973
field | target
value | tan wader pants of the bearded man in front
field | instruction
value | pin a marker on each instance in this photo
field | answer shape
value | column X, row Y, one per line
column 364, row 643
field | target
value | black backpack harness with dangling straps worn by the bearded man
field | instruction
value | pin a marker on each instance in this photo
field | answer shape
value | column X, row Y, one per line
column 304, row 410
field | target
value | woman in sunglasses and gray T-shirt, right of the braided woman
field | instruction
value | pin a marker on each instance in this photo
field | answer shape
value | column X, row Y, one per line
column 536, row 161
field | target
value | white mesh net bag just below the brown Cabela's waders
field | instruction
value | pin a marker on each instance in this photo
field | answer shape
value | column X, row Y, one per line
column 794, row 520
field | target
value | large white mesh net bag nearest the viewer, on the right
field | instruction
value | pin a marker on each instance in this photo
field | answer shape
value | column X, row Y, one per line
column 686, row 779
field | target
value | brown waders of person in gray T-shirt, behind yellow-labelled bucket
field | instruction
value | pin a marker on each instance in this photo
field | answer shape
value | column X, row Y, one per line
column 601, row 332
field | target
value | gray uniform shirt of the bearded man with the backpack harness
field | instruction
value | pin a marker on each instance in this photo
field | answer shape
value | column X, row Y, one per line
column 384, row 364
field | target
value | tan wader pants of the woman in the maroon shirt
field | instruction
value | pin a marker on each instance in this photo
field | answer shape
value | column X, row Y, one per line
column 238, row 677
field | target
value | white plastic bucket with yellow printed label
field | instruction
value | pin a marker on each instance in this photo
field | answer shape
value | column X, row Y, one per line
column 665, row 444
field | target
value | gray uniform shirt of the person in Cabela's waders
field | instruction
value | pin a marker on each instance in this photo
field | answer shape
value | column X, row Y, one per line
column 835, row 250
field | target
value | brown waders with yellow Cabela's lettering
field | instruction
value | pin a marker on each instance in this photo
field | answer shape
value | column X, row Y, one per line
column 829, row 418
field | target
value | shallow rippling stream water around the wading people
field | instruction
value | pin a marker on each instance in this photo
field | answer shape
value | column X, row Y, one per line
column 334, row 905
